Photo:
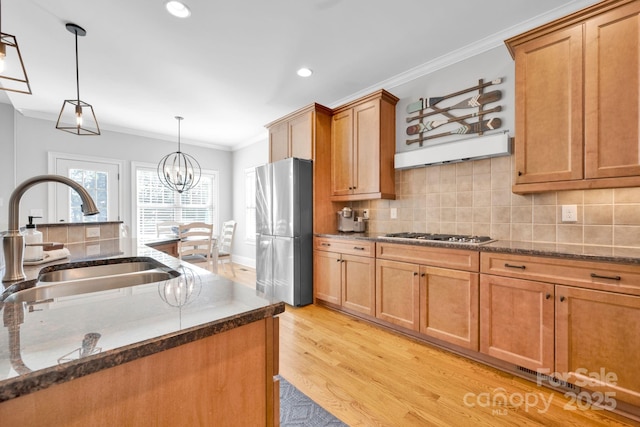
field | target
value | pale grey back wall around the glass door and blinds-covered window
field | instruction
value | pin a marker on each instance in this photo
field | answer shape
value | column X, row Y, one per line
column 35, row 138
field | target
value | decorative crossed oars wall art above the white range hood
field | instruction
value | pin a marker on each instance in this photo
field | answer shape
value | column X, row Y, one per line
column 429, row 108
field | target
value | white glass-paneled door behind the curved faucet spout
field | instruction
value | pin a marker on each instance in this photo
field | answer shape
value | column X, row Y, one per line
column 101, row 181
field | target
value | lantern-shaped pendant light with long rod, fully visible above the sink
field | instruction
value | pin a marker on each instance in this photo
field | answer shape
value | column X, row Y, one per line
column 73, row 110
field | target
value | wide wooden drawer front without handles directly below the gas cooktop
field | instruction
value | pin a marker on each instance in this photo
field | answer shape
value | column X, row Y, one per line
column 459, row 259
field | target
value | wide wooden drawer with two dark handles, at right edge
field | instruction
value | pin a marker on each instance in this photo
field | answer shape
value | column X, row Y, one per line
column 605, row 276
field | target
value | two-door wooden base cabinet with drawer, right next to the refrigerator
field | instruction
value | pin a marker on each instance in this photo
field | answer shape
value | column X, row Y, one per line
column 343, row 278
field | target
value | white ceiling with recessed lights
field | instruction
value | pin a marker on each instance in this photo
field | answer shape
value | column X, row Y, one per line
column 230, row 68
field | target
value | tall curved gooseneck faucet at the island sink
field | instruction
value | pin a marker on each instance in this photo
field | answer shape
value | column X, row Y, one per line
column 13, row 242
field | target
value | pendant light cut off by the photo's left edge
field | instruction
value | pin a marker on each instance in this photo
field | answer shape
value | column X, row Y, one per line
column 13, row 76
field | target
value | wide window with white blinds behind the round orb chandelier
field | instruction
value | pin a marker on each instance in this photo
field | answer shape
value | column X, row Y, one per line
column 155, row 203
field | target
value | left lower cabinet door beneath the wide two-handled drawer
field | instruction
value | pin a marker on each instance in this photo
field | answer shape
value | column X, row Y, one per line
column 517, row 320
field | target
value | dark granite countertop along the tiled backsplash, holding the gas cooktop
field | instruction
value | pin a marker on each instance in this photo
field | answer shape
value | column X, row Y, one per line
column 623, row 255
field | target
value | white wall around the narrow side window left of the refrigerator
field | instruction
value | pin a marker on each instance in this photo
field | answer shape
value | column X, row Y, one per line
column 254, row 155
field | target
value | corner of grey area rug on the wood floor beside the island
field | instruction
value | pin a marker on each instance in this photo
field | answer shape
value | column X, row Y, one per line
column 297, row 409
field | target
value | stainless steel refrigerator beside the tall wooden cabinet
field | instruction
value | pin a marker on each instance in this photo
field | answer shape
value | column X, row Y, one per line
column 284, row 227
